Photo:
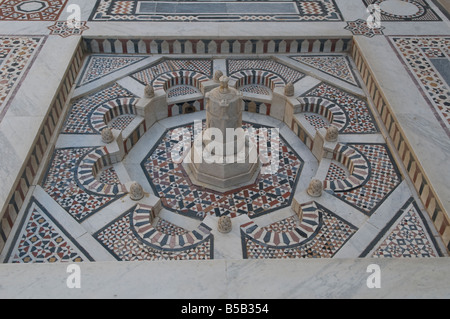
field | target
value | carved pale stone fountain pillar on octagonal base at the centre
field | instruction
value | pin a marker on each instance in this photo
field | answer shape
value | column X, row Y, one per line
column 223, row 157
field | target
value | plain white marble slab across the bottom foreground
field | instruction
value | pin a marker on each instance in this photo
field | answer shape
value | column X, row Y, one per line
column 244, row 279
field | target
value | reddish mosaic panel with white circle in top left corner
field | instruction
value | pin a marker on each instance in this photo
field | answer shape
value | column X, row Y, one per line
column 36, row 10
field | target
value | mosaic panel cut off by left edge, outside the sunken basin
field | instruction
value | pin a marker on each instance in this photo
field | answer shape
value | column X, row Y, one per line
column 16, row 56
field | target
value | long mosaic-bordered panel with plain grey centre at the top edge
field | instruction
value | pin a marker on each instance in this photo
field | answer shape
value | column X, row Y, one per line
column 217, row 11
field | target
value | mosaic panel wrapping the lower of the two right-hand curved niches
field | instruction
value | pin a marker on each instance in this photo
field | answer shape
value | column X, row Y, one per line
column 384, row 177
